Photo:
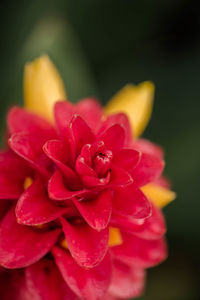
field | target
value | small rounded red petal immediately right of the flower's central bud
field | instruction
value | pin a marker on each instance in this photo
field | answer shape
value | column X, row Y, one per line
column 127, row 159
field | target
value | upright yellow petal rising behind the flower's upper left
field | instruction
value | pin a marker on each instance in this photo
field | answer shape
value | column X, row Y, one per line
column 43, row 86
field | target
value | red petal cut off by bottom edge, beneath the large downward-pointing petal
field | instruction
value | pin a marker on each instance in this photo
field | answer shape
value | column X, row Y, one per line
column 87, row 284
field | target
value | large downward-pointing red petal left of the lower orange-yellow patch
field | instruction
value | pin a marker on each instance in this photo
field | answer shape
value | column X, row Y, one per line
column 87, row 246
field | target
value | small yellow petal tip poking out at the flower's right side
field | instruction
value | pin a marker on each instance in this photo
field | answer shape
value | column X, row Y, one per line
column 159, row 195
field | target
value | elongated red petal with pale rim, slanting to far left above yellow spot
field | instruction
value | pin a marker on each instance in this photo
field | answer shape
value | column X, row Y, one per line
column 30, row 149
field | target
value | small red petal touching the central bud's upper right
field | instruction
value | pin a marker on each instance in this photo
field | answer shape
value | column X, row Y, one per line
column 113, row 137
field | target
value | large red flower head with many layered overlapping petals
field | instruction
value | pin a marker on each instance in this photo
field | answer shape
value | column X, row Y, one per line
column 76, row 219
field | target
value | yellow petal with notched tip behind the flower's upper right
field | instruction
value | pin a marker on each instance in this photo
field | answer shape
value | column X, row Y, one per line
column 136, row 102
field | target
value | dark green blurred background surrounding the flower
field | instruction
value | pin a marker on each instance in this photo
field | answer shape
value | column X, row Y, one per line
column 99, row 46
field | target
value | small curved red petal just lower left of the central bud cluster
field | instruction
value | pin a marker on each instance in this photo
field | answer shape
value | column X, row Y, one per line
column 58, row 191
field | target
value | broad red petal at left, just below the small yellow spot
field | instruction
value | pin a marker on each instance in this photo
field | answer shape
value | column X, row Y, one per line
column 34, row 207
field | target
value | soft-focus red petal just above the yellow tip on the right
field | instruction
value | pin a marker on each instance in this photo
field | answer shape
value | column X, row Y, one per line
column 148, row 169
